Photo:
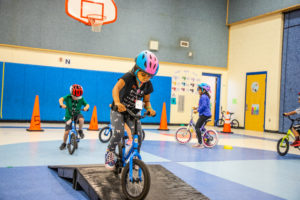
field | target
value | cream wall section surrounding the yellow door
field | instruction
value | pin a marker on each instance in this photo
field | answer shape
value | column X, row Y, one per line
column 256, row 46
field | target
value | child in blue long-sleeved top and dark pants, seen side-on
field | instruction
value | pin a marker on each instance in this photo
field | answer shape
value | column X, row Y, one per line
column 204, row 111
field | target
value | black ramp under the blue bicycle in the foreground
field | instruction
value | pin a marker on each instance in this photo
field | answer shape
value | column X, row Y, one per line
column 99, row 183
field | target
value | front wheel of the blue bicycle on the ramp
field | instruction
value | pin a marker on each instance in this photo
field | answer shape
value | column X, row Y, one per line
column 136, row 186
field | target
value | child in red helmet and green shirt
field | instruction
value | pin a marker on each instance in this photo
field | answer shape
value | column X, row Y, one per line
column 73, row 103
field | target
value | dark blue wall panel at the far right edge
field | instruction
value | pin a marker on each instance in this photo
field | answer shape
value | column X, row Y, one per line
column 290, row 80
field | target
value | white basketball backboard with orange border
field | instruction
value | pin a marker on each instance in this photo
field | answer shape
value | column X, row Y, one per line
column 80, row 10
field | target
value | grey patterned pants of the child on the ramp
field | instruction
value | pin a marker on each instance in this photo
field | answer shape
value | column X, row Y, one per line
column 117, row 122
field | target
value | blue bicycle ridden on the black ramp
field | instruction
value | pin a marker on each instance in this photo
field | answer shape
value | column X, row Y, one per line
column 135, row 178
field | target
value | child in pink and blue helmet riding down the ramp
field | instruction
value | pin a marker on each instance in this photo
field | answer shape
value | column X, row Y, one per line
column 130, row 92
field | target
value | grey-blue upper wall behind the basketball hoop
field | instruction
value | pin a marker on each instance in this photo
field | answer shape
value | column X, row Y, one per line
column 44, row 24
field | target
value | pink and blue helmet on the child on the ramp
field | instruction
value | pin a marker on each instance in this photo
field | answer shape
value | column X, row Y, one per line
column 147, row 62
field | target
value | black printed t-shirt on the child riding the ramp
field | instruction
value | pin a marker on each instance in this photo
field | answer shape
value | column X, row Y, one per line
column 130, row 92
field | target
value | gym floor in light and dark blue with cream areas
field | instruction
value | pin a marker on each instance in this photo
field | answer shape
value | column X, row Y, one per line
column 251, row 170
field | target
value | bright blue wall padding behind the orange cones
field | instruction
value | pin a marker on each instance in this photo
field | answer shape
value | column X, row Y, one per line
column 23, row 82
